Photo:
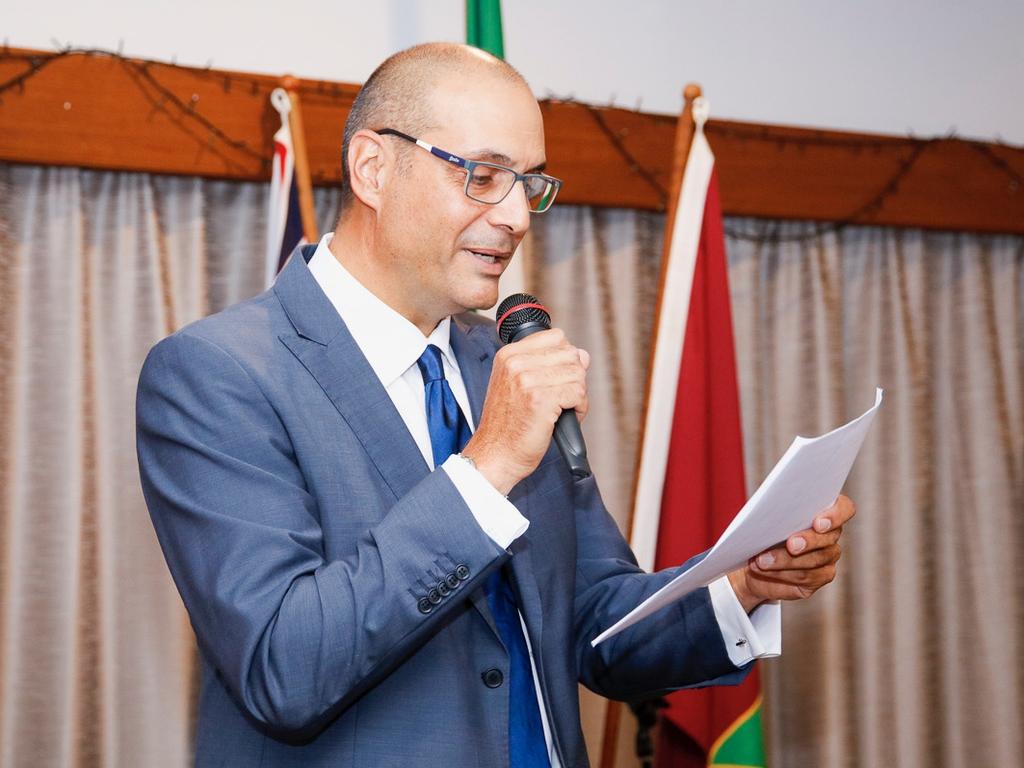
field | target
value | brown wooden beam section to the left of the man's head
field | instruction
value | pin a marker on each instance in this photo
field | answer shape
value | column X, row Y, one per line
column 100, row 111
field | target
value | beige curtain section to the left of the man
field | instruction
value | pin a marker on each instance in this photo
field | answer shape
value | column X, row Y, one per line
column 97, row 656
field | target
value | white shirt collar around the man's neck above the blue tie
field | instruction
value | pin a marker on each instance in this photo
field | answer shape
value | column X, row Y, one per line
column 391, row 344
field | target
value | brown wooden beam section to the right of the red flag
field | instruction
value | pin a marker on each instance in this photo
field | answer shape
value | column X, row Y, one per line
column 778, row 173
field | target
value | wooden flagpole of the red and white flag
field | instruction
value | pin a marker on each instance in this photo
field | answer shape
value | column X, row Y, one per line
column 686, row 129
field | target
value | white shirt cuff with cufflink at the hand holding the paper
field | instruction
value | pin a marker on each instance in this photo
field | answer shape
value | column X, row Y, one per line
column 747, row 637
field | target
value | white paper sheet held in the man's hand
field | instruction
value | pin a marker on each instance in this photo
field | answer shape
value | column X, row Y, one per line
column 805, row 482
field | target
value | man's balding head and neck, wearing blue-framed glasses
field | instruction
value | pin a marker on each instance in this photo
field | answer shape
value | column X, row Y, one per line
column 413, row 228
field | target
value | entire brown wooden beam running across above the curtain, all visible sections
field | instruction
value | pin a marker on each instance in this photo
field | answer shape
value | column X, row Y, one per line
column 103, row 112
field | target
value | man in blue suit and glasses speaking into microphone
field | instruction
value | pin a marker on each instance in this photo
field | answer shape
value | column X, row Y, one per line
column 385, row 560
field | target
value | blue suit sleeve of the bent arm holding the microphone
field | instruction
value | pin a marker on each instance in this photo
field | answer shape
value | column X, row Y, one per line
column 296, row 637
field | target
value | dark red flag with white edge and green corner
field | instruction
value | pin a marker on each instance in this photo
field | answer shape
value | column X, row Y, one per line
column 692, row 482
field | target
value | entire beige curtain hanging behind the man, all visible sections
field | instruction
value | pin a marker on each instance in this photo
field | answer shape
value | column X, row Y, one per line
column 910, row 660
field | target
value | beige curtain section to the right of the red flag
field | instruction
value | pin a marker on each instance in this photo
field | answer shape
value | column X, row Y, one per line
column 914, row 657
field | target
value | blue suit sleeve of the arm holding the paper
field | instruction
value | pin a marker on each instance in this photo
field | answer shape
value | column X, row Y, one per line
column 678, row 648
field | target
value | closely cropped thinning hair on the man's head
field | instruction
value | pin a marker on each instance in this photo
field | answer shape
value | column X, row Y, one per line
column 396, row 96
